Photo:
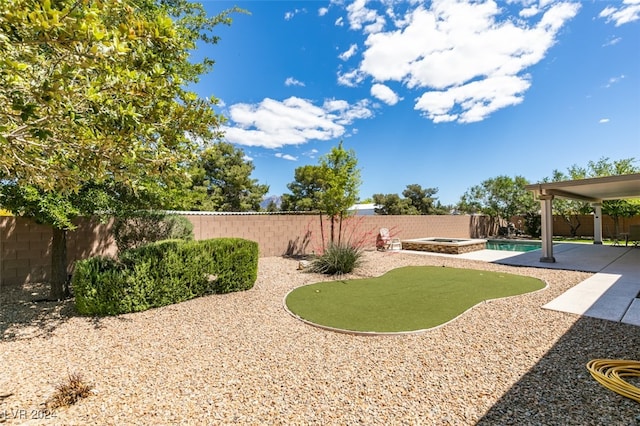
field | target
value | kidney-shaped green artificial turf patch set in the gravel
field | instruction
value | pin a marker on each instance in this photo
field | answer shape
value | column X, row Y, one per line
column 404, row 299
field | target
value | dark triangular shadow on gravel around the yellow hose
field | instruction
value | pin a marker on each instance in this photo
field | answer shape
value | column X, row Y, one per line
column 559, row 388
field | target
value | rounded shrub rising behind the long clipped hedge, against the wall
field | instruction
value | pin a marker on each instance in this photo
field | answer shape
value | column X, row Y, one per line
column 147, row 227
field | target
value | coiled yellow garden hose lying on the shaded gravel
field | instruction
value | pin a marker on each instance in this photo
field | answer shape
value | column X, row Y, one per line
column 610, row 373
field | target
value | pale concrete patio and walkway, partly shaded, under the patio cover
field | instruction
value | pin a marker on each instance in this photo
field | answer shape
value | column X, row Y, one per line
column 611, row 294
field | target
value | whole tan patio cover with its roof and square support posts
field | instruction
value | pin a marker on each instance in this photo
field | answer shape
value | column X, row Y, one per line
column 593, row 190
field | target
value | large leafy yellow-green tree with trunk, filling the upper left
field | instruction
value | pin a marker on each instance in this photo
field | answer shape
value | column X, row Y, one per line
column 93, row 97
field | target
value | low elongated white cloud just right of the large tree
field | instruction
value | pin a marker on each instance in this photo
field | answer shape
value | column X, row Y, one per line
column 293, row 121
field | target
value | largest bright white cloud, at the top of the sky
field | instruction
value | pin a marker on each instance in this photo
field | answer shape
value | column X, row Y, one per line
column 466, row 57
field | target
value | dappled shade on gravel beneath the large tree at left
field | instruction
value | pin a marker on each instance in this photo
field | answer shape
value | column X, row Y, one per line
column 25, row 314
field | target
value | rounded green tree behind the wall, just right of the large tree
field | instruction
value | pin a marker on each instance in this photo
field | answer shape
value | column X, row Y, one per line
column 221, row 181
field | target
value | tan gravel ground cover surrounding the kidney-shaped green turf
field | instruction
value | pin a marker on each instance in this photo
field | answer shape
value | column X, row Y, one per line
column 241, row 359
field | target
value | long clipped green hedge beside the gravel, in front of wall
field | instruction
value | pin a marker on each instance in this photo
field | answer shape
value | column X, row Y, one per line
column 163, row 273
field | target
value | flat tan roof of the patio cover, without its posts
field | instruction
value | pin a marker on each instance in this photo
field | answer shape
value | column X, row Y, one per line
column 593, row 189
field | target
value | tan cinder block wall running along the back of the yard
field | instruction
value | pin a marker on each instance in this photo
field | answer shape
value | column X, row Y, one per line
column 25, row 247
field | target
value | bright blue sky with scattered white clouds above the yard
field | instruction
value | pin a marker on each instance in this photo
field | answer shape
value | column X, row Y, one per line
column 444, row 94
